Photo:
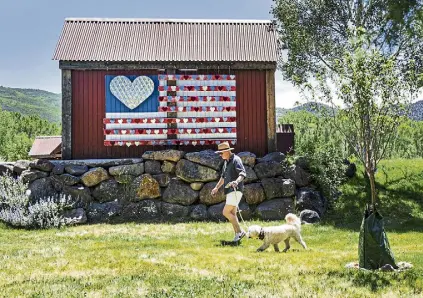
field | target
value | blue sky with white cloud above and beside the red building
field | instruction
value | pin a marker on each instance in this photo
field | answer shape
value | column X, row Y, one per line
column 29, row 30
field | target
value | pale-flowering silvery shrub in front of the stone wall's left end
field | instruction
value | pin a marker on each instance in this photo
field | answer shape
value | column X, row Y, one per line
column 18, row 210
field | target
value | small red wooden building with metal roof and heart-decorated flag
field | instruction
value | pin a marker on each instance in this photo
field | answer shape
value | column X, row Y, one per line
column 133, row 85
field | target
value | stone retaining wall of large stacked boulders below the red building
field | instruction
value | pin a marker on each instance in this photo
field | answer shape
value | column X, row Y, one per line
column 170, row 185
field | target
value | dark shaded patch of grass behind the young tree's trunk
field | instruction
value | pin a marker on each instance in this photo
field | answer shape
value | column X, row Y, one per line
column 400, row 202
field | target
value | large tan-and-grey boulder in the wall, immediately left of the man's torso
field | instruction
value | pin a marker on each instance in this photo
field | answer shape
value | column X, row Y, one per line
column 192, row 172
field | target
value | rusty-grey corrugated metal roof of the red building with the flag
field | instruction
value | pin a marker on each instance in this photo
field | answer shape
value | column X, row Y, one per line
column 167, row 40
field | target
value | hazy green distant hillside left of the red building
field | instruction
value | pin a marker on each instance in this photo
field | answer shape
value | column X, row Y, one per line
column 45, row 104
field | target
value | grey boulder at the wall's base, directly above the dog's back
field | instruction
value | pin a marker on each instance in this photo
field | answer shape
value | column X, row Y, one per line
column 275, row 209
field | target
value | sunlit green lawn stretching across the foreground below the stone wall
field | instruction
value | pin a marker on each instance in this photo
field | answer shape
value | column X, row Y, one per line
column 184, row 260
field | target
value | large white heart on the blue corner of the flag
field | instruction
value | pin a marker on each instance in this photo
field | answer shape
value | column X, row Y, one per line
column 132, row 94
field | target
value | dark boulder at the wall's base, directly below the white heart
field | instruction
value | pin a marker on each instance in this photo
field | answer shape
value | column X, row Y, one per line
column 143, row 211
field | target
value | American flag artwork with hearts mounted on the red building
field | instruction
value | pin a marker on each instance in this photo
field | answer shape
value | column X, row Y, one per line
column 170, row 110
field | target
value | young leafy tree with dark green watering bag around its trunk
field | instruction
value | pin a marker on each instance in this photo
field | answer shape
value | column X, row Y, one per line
column 367, row 55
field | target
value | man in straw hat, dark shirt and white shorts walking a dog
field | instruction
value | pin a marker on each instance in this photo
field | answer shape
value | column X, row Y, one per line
column 233, row 174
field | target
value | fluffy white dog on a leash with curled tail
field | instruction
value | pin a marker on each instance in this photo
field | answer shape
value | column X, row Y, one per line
column 274, row 235
